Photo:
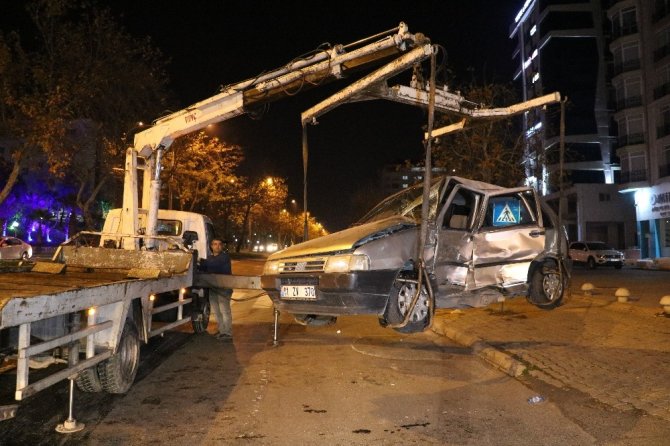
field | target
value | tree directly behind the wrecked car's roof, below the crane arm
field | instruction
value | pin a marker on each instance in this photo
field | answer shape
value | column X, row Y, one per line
column 491, row 151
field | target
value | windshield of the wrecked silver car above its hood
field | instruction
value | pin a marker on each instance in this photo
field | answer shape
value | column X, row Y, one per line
column 405, row 203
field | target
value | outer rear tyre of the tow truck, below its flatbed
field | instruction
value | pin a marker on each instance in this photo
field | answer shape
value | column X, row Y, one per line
column 117, row 373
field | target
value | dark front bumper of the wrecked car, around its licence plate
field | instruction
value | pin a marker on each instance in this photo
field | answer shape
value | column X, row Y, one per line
column 364, row 292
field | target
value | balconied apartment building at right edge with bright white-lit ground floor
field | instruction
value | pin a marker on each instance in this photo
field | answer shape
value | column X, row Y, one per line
column 640, row 44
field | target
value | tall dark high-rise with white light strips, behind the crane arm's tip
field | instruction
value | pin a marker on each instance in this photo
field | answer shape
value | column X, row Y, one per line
column 562, row 45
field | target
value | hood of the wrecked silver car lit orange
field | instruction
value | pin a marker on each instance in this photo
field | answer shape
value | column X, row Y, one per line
column 346, row 240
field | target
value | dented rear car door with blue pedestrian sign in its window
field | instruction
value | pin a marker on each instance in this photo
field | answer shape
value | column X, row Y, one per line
column 510, row 237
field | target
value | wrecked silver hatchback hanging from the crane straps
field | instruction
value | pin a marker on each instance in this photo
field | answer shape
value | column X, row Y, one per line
column 482, row 243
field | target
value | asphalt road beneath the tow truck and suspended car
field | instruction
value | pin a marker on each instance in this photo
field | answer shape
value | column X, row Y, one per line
column 349, row 383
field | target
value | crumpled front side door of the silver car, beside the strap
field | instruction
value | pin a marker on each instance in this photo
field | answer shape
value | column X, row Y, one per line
column 454, row 250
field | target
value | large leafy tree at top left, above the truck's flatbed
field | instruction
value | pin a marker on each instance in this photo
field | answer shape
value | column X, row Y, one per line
column 85, row 76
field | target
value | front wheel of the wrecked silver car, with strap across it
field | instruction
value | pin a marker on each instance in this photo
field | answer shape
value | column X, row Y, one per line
column 399, row 301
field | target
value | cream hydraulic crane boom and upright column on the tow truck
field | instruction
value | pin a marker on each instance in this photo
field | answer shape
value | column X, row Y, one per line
column 234, row 100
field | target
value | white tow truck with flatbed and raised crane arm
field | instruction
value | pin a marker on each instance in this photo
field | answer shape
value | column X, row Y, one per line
column 93, row 304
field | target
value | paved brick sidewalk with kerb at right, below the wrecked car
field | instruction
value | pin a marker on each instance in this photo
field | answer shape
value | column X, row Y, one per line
column 618, row 353
